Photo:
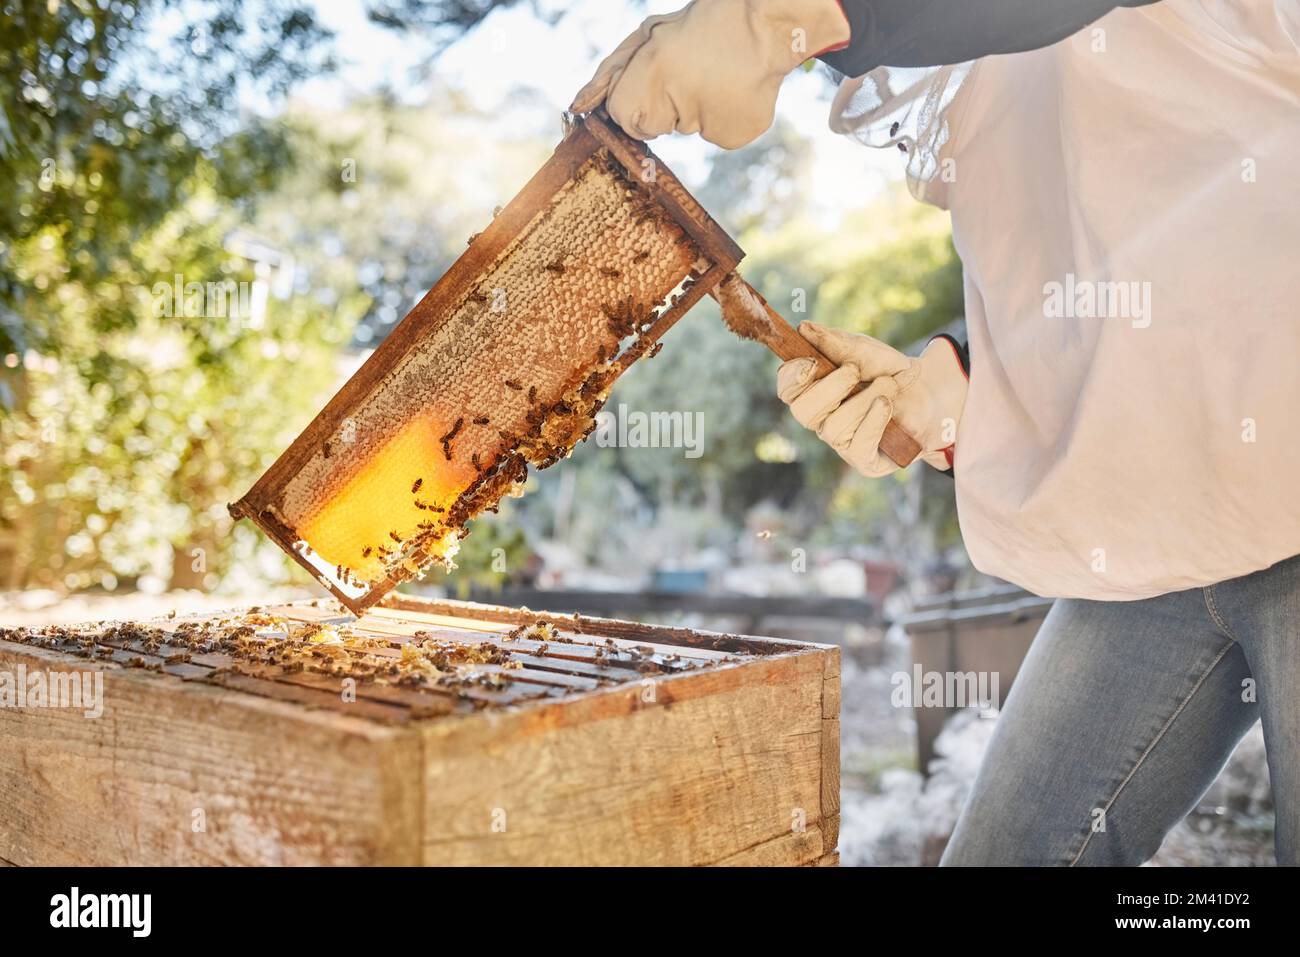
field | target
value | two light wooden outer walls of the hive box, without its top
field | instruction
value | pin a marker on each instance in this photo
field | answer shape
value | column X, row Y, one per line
column 734, row 765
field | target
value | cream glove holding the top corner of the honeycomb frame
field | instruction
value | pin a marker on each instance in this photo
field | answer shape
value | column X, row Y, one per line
column 712, row 68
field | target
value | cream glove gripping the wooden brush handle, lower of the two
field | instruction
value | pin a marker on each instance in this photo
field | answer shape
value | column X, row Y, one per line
column 924, row 396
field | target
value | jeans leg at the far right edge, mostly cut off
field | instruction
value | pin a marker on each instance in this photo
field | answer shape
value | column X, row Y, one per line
column 1263, row 612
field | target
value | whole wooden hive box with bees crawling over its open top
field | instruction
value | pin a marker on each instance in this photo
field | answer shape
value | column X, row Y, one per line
column 476, row 735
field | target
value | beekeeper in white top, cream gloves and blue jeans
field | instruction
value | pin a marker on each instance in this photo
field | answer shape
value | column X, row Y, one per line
column 1124, row 196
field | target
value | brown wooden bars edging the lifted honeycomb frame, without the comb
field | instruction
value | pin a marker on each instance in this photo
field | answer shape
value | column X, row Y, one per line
column 588, row 137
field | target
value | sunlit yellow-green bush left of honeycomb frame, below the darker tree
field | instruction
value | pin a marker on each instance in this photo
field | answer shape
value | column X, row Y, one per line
column 128, row 445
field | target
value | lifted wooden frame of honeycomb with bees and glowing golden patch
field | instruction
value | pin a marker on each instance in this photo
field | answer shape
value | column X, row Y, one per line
column 502, row 366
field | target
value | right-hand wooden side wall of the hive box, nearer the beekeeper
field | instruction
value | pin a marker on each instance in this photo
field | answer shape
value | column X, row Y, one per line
column 714, row 764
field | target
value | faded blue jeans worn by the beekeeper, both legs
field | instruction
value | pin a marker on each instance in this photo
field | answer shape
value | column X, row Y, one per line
column 1123, row 716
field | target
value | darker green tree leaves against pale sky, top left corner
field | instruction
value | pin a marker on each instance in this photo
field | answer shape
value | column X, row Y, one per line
column 107, row 110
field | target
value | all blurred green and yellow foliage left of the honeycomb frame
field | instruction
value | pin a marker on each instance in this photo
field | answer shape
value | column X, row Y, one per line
column 127, row 159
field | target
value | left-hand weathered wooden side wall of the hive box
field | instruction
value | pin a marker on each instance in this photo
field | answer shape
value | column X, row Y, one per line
column 271, row 783
